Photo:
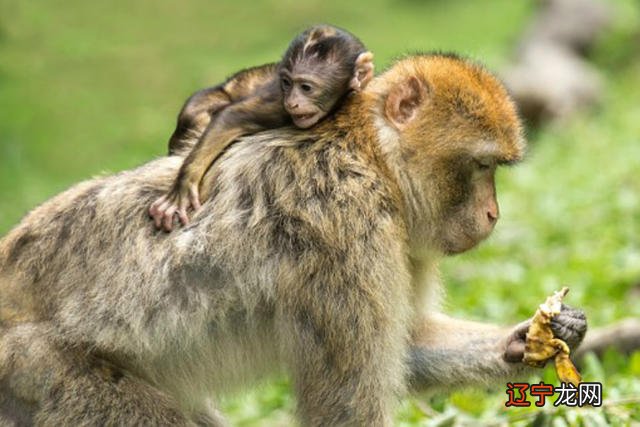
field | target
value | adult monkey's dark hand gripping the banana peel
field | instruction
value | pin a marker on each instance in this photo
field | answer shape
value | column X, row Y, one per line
column 569, row 325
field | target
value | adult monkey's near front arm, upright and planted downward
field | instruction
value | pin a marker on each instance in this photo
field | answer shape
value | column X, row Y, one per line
column 353, row 323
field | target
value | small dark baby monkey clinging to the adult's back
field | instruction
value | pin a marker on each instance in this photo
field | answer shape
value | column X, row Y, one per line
column 319, row 69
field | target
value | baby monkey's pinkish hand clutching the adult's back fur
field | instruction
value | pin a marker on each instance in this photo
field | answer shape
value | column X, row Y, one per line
column 176, row 202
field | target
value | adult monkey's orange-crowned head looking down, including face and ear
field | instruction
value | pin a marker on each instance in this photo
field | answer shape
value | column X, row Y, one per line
column 455, row 124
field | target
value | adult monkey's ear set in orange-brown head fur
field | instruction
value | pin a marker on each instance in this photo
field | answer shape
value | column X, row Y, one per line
column 403, row 101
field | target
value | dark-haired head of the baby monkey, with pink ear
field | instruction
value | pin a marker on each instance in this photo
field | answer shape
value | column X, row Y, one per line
column 319, row 68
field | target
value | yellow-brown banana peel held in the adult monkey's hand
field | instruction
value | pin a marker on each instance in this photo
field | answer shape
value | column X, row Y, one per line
column 541, row 345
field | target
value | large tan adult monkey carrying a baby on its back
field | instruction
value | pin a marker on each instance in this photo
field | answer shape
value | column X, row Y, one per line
column 316, row 252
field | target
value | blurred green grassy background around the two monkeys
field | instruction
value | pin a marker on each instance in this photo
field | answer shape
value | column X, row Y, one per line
column 88, row 88
